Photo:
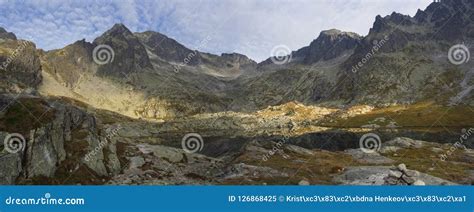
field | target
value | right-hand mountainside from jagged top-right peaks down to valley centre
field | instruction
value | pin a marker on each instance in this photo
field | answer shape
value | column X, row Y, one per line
column 405, row 58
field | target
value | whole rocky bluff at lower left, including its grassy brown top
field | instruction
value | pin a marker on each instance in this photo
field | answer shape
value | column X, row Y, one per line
column 67, row 139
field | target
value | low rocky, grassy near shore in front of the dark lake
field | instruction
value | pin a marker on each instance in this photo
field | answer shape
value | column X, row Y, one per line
column 258, row 163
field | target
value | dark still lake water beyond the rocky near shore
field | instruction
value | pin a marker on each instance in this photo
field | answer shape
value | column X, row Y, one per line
column 331, row 140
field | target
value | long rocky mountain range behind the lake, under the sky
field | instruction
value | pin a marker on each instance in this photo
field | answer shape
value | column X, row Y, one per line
column 406, row 58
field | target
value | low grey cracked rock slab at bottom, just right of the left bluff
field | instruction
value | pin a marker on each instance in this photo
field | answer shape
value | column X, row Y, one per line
column 161, row 165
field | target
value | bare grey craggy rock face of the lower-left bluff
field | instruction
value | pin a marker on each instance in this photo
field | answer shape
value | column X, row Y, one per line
column 68, row 138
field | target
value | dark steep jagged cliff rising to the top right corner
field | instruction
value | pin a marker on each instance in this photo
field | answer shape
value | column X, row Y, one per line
column 411, row 62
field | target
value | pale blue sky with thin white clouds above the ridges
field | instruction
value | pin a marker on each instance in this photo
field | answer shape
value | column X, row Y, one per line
column 250, row 27
